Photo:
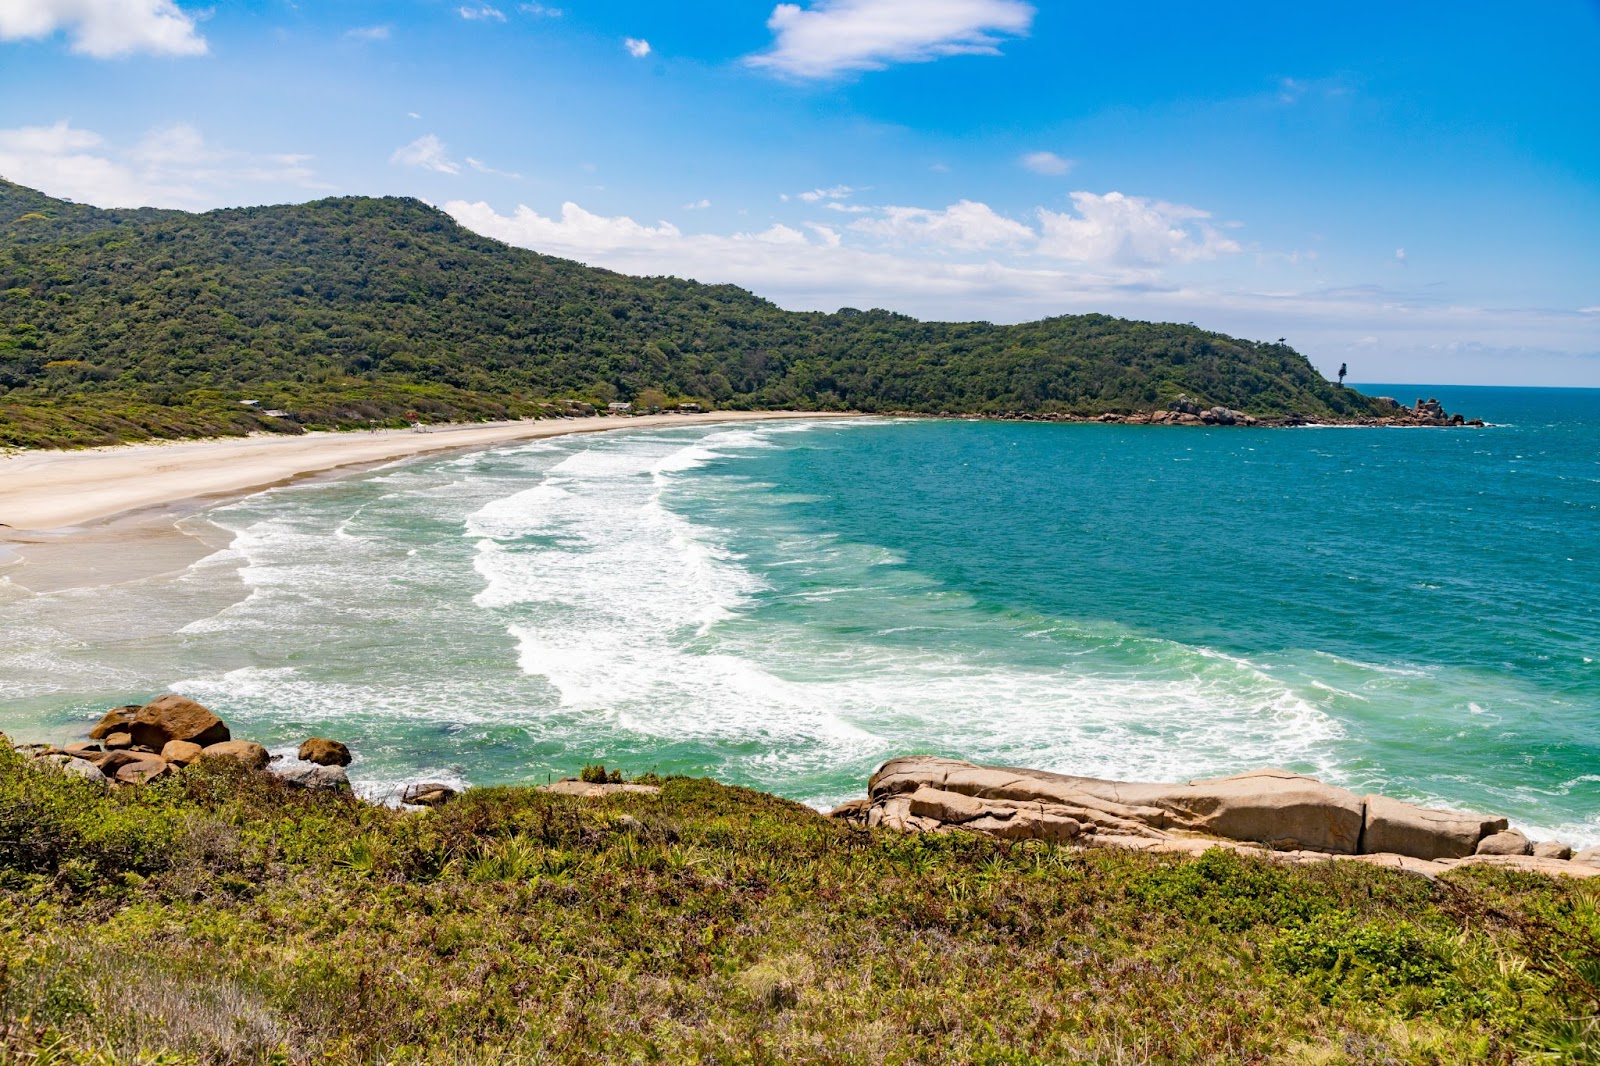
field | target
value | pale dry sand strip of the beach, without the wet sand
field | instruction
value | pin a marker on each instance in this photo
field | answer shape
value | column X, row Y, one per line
column 50, row 491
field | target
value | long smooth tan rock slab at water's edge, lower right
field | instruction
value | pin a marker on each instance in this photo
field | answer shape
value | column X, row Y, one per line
column 1268, row 811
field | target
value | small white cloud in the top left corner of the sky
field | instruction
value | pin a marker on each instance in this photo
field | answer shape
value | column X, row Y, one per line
column 106, row 28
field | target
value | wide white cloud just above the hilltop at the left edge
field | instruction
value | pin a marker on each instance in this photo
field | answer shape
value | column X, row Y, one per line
column 167, row 167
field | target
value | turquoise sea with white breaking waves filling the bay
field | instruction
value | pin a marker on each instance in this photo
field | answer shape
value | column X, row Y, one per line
column 788, row 604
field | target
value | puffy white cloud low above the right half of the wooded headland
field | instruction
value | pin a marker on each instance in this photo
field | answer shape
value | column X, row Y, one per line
column 1130, row 231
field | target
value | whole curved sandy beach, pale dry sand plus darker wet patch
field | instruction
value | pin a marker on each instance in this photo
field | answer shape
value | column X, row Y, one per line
column 76, row 519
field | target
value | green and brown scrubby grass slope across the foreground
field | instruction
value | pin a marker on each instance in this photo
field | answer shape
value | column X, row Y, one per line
column 222, row 918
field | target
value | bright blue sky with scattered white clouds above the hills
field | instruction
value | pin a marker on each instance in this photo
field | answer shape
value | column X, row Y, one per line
column 1414, row 190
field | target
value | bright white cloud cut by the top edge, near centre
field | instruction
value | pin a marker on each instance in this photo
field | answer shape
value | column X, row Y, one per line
column 836, row 38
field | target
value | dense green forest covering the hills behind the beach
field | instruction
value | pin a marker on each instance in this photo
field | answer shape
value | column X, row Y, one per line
column 127, row 324
